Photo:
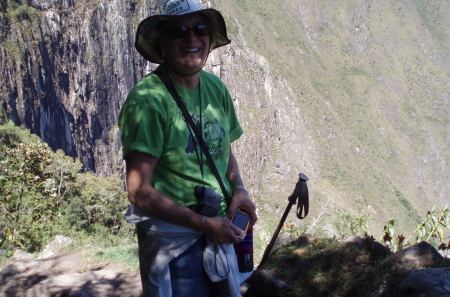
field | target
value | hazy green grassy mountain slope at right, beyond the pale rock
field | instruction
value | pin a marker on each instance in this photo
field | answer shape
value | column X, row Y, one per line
column 390, row 113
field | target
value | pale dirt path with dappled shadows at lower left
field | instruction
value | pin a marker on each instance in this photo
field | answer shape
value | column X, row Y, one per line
column 66, row 275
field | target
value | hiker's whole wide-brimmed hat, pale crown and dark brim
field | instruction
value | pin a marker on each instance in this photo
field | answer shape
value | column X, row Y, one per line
column 166, row 10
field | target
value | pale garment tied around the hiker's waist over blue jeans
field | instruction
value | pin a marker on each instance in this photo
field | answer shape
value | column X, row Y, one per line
column 168, row 241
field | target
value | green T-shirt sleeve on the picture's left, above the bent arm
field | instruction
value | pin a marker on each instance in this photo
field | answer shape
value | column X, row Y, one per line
column 141, row 130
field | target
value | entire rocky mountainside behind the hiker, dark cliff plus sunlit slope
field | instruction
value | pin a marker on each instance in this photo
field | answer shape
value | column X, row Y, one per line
column 353, row 94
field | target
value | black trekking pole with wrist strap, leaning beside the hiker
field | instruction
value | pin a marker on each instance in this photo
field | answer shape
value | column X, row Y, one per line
column 300, row 193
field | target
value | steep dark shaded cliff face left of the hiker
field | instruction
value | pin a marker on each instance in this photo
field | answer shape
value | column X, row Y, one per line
column 70, row 74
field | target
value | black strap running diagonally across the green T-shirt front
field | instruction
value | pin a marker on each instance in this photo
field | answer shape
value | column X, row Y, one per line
column 171, row 88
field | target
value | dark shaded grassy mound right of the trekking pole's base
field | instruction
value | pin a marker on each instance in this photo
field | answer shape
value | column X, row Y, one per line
column 329, row 267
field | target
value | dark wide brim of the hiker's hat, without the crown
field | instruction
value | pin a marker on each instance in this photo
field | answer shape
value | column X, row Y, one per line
column 146, row 46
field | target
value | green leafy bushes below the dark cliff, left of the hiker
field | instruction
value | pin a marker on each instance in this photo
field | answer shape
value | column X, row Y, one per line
column 43, row 194
